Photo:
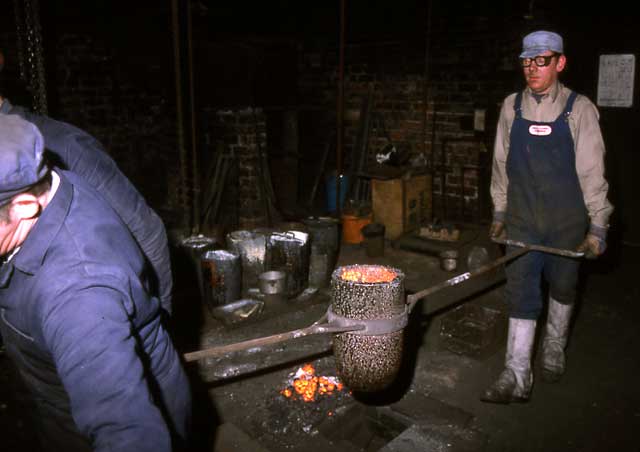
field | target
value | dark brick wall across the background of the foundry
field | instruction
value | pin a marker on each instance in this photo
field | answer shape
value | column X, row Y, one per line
column 111, row 71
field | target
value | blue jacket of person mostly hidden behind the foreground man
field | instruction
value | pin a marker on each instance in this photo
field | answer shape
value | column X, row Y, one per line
column 77, row 151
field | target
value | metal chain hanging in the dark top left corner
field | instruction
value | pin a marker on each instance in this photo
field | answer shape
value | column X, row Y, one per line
column 30, row 52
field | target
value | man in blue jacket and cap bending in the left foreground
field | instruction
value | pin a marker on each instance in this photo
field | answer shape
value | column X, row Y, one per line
column 75, row 311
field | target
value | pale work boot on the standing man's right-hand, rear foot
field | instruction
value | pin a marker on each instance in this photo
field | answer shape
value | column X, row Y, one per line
column 555, row 340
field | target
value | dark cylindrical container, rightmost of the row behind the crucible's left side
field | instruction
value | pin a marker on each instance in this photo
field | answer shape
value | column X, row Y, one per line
column 325, row 242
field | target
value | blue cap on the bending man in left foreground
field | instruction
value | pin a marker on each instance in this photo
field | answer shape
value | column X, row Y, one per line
column 21, row 162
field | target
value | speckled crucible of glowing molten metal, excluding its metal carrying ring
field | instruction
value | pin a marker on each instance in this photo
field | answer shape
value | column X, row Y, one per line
column 368, row 292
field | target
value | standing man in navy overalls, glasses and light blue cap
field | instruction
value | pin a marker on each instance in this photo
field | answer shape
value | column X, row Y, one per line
column 548, row 188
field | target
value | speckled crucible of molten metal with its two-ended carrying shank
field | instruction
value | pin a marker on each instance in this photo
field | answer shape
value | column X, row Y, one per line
column 367, row 315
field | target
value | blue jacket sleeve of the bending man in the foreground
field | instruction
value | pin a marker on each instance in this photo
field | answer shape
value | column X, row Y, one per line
column 97, row 357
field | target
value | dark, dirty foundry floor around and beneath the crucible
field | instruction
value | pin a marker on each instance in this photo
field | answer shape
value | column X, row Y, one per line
column 434, row 404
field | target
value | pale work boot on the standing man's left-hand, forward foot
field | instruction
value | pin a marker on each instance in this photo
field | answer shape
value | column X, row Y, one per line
column 515, row 382
